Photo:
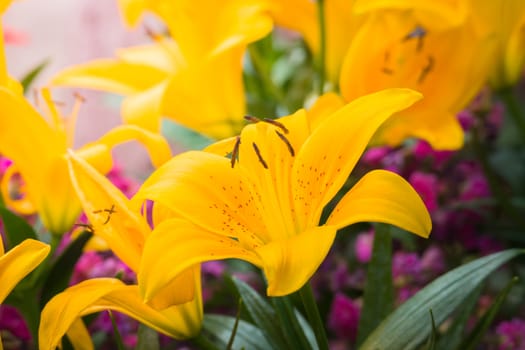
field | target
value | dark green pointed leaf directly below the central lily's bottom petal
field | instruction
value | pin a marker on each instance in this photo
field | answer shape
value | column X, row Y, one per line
column 262, row 314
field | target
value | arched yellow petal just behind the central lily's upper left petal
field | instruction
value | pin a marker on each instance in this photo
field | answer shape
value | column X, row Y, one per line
column 156, row 145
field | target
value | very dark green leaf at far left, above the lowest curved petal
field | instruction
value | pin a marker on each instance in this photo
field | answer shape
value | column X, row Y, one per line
column 61, row 270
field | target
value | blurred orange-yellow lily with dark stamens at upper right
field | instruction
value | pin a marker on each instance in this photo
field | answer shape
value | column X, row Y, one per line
column 395, row 49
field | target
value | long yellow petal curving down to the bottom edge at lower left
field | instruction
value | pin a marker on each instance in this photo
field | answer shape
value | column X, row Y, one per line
column 107, row 293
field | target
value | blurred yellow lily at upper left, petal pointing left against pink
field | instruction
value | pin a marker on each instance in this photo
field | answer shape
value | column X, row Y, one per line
column 194, row 77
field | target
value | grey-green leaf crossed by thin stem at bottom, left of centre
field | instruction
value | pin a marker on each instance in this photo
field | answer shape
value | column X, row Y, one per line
column 248, row 336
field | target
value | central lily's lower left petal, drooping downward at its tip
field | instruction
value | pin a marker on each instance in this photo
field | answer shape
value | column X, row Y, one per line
column 188, row 246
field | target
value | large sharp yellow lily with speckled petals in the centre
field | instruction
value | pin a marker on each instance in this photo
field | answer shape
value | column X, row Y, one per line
column 264, row 204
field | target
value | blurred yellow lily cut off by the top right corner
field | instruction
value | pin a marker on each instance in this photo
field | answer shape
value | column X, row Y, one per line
column 505, row 20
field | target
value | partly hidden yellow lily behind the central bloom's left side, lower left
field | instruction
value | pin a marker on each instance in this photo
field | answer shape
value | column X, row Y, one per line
column 176, row 313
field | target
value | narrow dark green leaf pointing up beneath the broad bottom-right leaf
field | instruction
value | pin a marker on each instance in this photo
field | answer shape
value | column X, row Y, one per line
column 452, row 337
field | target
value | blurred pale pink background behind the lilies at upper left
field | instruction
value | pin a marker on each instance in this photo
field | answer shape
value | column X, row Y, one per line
column 70, row 32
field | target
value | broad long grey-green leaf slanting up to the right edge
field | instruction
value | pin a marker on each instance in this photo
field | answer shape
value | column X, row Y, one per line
column 408, row 325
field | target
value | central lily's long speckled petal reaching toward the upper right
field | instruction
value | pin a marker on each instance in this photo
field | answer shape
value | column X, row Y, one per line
column 330, row 153
